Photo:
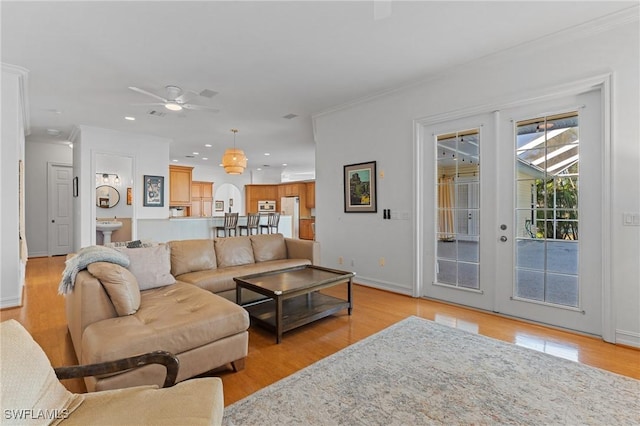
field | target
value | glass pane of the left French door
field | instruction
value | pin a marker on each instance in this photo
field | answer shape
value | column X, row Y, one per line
column 458, row 209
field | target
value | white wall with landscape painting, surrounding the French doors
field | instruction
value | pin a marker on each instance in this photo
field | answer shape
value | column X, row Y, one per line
column 381, row 129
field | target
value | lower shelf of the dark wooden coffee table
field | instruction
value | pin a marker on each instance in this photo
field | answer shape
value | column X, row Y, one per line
column 297, row 311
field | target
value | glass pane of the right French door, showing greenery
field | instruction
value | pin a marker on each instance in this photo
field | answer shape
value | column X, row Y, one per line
column 546, row 214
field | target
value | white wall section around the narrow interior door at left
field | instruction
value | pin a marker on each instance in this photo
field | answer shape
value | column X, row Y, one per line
column 38, row 155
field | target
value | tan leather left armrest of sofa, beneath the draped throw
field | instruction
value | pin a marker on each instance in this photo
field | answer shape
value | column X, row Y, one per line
column 86, row 304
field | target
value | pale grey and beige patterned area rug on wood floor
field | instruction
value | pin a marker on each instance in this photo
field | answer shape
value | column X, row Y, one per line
column 418, row 372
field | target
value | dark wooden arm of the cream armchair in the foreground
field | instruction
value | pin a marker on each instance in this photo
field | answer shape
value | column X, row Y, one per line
column 165, row 358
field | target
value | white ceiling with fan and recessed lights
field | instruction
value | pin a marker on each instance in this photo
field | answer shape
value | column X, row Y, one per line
column 264, row 59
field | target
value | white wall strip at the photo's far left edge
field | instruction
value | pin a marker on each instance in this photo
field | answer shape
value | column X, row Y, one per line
column 14, row 124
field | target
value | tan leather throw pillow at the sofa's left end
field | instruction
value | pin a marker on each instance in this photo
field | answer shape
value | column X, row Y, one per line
column 121, row 286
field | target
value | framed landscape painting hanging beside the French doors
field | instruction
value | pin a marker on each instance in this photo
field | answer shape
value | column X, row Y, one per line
column 360, row 188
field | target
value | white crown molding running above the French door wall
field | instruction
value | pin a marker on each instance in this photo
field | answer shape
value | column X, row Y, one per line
column 580, row 31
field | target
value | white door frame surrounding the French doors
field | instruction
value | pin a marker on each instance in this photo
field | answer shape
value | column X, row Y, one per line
column 601, row 82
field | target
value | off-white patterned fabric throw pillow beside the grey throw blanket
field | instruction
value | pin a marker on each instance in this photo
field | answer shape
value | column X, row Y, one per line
column 150, row 265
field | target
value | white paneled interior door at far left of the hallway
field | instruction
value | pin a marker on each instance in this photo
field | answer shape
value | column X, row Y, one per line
column 60, row 208
